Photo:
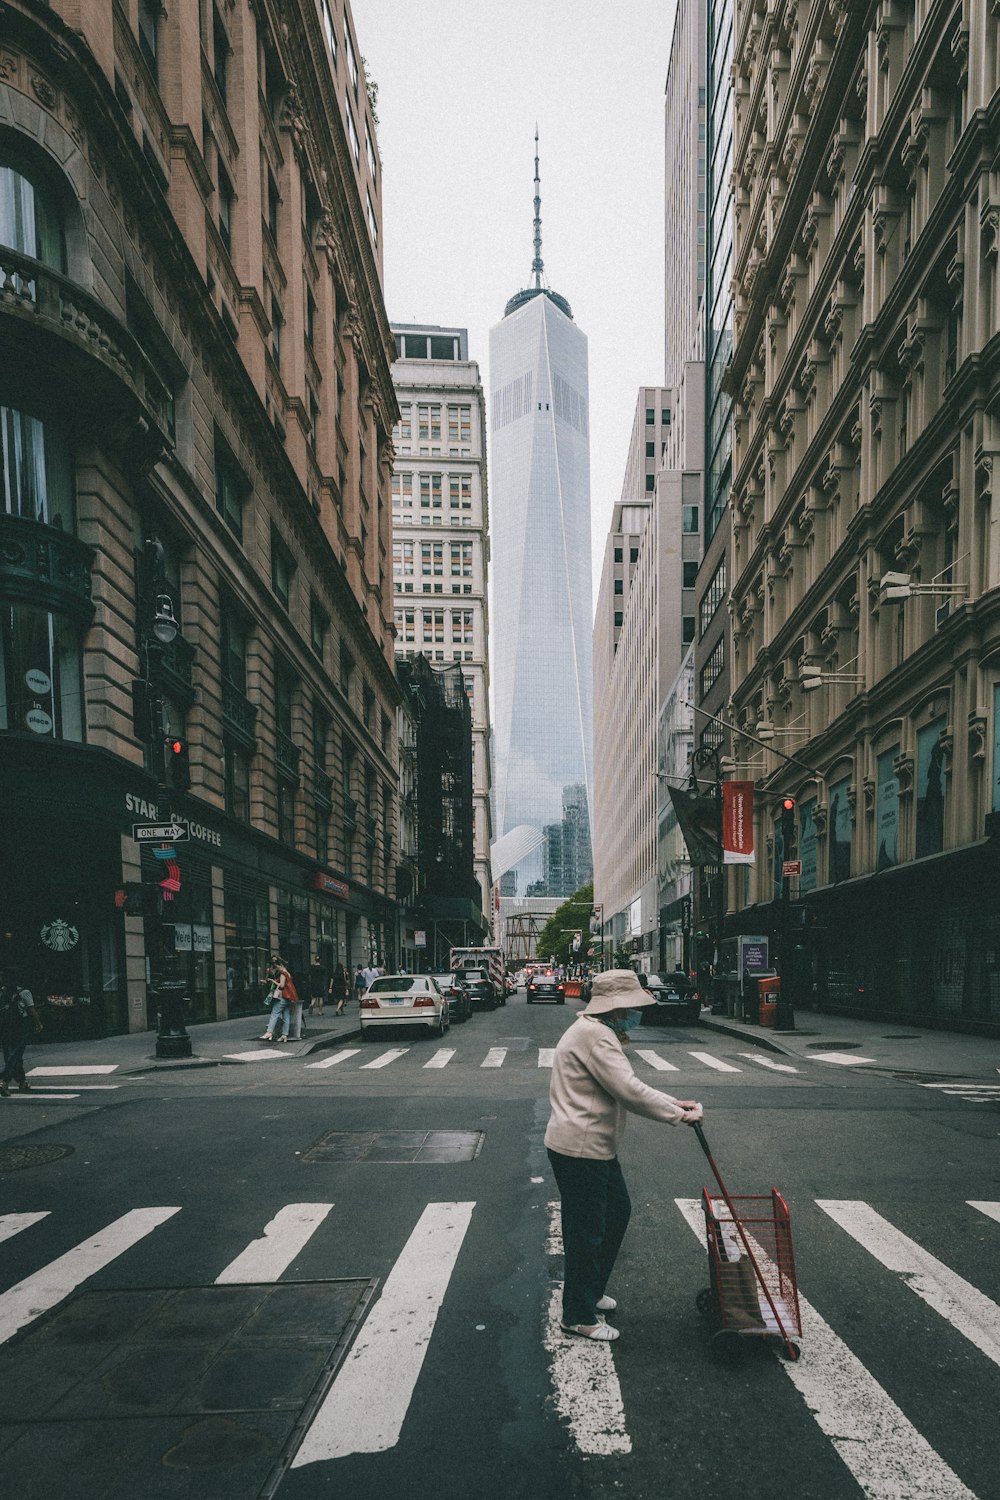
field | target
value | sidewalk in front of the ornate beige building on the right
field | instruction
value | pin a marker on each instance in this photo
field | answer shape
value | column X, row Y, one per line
column 894, row 1046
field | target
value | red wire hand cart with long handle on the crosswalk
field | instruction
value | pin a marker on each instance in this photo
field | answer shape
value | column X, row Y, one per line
column 753, row 1289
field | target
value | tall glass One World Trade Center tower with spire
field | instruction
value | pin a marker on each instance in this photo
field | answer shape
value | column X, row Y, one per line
column 540, row 533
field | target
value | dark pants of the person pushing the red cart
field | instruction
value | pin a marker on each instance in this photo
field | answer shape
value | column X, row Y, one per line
column 596, row 1213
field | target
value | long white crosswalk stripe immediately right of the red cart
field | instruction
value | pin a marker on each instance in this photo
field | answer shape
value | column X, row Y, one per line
column 957, row 1301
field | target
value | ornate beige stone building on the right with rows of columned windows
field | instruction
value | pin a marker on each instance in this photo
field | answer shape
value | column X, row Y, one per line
column 866, row 557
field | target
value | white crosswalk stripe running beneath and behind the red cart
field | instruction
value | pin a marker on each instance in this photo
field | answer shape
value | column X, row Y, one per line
column 881, row 1448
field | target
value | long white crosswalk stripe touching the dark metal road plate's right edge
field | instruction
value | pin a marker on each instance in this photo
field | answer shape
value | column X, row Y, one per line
column 367, row 1406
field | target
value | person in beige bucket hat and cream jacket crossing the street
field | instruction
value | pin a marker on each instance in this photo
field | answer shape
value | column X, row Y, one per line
column 591, row 1091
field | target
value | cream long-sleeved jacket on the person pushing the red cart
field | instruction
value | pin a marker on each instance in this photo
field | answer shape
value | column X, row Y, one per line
column 593, row 1088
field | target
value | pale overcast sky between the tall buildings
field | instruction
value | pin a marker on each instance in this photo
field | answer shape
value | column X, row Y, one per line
column 461, row 85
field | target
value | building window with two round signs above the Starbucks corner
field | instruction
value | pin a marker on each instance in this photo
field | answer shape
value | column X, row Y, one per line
column 41, row 683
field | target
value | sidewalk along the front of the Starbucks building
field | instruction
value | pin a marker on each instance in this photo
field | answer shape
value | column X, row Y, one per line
column 212, row 1045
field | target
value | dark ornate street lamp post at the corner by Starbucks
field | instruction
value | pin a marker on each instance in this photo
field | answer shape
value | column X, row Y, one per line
column 160, row 629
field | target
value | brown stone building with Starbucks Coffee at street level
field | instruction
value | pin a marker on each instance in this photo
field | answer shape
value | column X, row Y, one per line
column 196, row 416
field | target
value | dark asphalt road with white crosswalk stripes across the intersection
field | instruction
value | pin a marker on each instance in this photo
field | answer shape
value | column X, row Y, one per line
column 445, row 1373
